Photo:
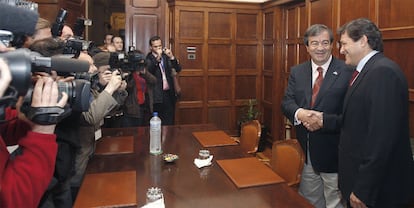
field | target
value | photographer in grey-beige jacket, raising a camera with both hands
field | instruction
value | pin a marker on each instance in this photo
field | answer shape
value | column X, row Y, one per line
column 105, row 99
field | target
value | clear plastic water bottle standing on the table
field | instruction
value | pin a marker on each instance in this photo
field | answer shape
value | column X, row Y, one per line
column 155, row 134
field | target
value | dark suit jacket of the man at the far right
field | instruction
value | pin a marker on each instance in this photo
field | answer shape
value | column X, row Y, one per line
column 375, row 157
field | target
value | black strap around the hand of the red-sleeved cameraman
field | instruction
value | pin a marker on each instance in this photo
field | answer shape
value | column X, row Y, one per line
column 47, row 115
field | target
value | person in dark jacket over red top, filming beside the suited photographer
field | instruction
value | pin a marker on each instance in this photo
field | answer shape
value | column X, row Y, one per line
column 138, row 104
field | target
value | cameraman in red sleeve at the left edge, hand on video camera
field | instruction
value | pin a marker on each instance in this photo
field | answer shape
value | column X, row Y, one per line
column 25, row 177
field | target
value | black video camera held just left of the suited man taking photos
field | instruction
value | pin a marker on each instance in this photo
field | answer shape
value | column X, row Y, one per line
column 131, row 61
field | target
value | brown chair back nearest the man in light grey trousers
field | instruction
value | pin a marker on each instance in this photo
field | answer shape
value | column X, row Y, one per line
column 288, row 160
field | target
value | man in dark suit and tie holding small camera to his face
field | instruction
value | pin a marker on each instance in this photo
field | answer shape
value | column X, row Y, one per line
column 161, row 63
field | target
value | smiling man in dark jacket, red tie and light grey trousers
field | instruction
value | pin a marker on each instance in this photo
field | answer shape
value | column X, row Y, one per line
column 307, row 91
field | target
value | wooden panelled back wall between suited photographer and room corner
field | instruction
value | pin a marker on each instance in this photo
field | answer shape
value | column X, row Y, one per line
column 211, row 29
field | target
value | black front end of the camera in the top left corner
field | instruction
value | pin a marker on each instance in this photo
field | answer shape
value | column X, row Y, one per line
column 17, row 20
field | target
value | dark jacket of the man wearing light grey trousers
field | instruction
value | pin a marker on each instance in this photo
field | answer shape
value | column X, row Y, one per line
column 323, row 145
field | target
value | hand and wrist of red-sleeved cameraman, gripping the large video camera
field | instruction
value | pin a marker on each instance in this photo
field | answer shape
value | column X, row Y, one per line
column 45, row 94
